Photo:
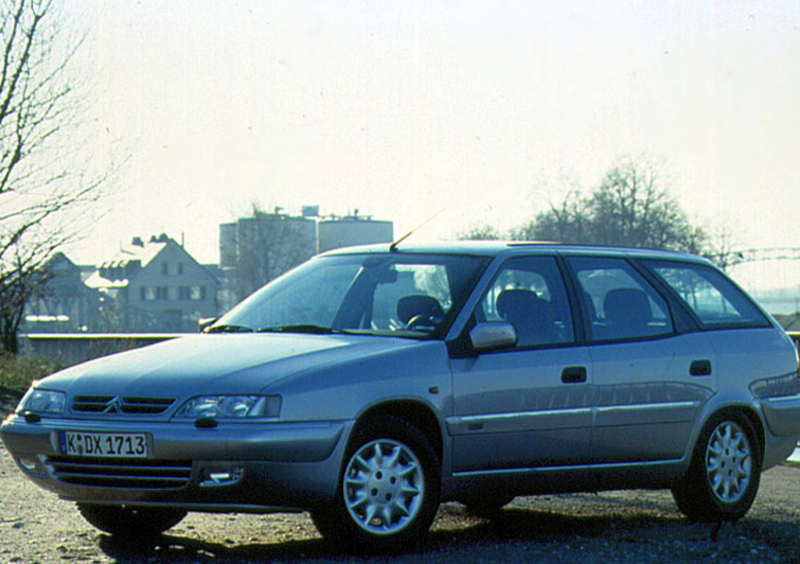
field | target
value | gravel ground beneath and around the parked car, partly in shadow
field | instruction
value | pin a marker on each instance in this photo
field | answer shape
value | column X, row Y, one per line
column 623, row 527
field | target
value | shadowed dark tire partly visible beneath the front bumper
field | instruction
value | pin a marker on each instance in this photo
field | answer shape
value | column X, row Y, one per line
column 130, row 521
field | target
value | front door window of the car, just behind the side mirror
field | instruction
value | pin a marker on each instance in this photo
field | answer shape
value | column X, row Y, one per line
column 529, row 293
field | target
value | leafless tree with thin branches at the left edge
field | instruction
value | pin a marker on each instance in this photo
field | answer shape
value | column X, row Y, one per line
column 39, row 107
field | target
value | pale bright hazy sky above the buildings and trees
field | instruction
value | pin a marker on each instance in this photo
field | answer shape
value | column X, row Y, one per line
column 484, row 112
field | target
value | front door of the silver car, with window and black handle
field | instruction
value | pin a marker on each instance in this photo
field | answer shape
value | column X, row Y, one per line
column 529, row 405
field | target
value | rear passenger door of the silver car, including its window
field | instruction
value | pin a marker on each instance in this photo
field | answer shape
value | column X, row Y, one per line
column 650, row 381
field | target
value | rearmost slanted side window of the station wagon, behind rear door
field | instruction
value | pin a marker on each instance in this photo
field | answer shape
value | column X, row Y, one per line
column 714, row 299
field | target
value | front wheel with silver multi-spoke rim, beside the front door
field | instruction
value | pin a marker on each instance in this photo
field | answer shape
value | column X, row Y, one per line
column 388, row 491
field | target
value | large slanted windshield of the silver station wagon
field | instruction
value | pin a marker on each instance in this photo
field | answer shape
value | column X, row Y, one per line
column 413, row 295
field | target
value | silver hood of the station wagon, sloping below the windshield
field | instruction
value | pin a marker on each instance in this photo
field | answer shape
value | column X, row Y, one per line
column 215, row 363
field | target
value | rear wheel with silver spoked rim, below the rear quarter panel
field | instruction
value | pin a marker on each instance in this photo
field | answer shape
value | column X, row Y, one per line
column 725, row 471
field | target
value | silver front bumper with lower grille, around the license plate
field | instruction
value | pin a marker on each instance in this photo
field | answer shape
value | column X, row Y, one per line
column 246, row 467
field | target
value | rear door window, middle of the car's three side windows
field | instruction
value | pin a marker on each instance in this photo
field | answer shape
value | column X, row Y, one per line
column 620, row 303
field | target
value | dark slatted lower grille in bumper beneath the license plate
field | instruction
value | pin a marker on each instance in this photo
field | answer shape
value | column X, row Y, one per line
column 121, row 473
